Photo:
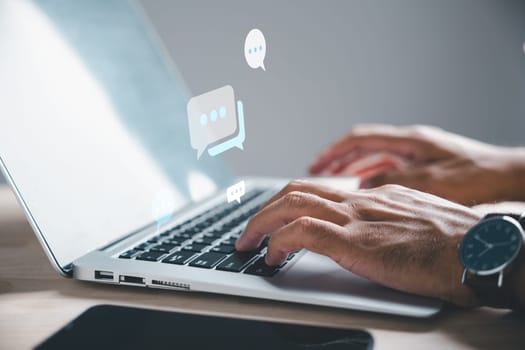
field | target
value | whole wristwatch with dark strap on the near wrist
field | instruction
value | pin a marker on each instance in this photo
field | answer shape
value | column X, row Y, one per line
column 488, row 251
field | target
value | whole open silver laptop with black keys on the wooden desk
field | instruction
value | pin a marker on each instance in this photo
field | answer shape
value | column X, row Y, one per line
column 95, row 132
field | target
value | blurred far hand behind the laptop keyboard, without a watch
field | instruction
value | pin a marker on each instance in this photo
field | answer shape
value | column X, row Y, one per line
column 428, row 159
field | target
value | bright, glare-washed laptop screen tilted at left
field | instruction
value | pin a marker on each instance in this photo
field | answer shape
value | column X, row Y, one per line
column 95, row 132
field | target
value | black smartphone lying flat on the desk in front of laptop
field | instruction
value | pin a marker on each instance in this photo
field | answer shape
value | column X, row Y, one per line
column 117, row 327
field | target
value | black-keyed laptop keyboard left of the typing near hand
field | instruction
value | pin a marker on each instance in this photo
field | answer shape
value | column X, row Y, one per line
column 208, row 241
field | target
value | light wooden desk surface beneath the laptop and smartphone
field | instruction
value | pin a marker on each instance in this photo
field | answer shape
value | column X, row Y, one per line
column 35, row 301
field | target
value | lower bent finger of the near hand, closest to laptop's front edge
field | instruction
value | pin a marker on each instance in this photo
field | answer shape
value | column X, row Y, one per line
column 316, row 235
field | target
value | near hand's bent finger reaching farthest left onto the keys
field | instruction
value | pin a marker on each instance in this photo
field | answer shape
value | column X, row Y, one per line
column 285, row 210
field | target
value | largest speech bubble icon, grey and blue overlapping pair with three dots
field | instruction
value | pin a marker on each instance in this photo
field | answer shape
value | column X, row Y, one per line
column 212, row 118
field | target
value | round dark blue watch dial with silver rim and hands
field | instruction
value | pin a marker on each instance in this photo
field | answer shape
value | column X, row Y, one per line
column 489, row 246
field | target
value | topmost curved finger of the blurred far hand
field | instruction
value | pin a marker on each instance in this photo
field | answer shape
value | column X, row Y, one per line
column 373, row 138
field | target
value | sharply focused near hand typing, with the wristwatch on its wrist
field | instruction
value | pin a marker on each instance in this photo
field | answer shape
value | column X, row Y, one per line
column 398, row 237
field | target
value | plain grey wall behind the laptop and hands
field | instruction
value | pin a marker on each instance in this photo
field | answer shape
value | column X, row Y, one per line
column 458, row 64
